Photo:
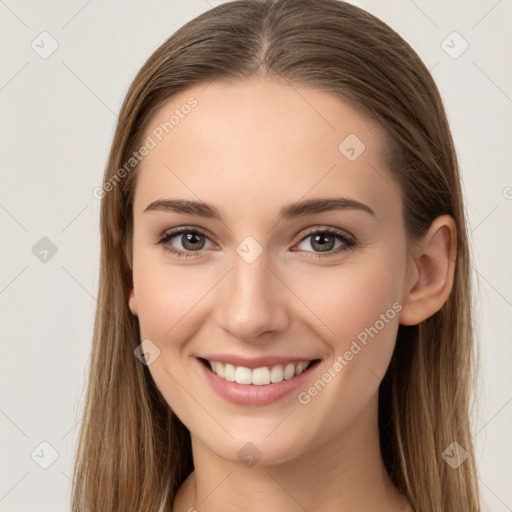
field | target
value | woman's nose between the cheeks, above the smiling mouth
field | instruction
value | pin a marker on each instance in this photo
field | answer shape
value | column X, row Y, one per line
column 253, row 301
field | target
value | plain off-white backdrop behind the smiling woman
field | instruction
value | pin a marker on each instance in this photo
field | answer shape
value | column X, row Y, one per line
column 58, row 114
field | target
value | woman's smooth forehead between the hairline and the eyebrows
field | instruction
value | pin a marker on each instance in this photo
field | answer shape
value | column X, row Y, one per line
column 262, row 141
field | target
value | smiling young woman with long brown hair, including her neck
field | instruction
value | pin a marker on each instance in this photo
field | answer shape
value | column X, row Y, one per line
column 284, row 317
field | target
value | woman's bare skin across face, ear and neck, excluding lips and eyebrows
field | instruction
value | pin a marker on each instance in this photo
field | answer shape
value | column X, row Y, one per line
column 249, row 148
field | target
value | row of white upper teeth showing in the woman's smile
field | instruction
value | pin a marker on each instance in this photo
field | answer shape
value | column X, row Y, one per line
column 257, row 376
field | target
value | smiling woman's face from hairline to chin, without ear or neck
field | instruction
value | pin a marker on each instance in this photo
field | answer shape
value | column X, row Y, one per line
column 298, row 304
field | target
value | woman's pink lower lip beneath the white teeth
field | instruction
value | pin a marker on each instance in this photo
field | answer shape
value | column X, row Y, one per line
column 251, row 394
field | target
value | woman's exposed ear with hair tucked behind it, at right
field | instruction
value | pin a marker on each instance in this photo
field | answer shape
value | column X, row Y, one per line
column 432, row 268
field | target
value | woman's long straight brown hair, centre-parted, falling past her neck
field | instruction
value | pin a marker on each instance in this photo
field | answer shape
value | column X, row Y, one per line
column 133, row 452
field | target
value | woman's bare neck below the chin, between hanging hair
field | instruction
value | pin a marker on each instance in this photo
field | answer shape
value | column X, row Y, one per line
column 344, row 474
